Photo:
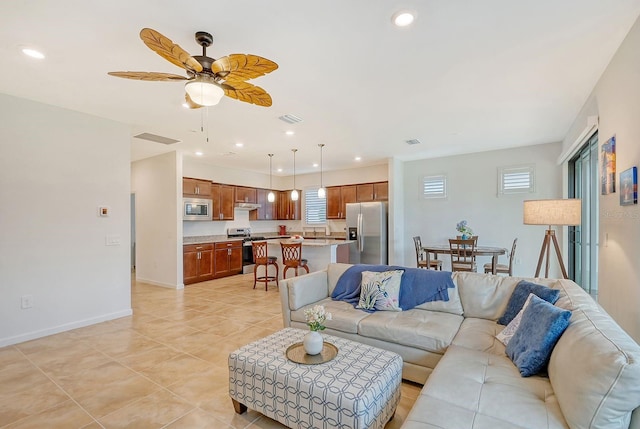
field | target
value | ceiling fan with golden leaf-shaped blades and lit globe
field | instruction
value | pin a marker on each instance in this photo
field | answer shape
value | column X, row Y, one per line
column 207, row 79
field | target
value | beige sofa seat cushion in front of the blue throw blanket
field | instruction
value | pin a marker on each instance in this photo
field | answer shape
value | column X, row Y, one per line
column 427, row 330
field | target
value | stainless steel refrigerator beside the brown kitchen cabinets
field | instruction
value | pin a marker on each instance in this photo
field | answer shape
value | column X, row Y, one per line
column 367, row 226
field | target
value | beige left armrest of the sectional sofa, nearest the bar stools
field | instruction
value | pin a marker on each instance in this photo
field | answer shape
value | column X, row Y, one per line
column 296, row 292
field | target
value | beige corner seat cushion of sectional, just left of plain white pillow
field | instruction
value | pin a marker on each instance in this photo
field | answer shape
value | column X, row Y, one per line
column 479, row 334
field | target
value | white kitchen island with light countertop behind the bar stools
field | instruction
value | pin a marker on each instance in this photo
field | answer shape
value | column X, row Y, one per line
column 318, row 253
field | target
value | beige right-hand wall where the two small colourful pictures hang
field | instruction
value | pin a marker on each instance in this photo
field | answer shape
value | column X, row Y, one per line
column 616, row 101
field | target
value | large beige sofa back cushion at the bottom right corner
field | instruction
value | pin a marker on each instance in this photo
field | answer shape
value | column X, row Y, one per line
column 595, row 372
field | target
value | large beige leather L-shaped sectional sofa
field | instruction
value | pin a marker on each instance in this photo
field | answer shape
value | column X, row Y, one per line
column 593, row 376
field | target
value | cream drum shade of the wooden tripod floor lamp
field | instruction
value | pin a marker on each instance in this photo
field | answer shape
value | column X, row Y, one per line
column 552, row 212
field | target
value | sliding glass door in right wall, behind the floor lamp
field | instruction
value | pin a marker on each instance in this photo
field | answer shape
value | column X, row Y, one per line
column 583, row 239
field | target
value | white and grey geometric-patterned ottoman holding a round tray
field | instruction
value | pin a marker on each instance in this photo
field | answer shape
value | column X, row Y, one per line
column 359, row 388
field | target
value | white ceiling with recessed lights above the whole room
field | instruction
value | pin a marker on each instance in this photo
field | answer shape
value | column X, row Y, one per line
column 466, row 76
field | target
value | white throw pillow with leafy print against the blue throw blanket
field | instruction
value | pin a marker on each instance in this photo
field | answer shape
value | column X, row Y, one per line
column 380, row 291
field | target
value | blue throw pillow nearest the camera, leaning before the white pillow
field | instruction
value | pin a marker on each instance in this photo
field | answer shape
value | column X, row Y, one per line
column 541, row 326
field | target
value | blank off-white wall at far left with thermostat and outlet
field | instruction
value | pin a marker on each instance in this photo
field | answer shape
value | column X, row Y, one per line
column 56, row 168
